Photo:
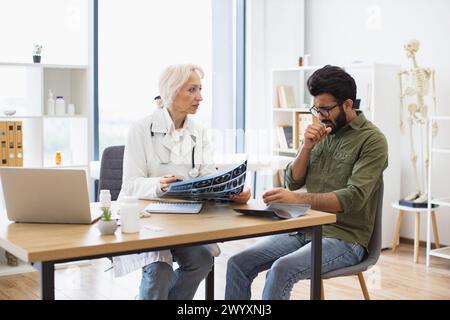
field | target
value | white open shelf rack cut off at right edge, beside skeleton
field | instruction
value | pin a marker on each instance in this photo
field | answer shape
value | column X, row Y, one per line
column 444, row 201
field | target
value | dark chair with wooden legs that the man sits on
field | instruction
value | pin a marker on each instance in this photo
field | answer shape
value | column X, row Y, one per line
column 369, row 260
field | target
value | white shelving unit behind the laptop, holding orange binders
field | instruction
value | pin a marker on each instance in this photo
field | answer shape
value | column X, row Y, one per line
column 24, row 88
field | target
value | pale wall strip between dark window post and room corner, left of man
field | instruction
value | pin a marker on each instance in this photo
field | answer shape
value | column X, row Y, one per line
column 275, row 37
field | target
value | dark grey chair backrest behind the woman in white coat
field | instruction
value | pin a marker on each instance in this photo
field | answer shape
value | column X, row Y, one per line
column 111, row 170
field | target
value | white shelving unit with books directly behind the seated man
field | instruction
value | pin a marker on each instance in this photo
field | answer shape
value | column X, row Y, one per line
column 378, row 91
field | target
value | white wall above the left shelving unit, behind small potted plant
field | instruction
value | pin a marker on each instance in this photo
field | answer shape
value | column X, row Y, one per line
column 61, row 27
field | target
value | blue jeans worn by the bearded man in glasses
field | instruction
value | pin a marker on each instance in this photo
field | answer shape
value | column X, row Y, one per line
column 288, row 259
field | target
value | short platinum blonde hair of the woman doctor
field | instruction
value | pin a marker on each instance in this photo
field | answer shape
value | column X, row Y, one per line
column 173, row 78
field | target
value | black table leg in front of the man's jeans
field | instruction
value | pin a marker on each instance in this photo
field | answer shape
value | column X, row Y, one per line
column 316, row 262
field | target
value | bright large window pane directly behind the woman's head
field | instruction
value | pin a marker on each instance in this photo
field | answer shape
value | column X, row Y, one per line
column 137, row 39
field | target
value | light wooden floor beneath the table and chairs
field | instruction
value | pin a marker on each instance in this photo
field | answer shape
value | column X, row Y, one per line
column 394, row 277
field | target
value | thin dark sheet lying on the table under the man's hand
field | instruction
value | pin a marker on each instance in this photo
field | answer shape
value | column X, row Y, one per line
column 278, row 210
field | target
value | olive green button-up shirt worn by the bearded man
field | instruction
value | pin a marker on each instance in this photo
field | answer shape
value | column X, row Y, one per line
column 350, row 164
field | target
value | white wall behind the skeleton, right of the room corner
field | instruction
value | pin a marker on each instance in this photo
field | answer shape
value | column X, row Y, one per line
column 343, row 31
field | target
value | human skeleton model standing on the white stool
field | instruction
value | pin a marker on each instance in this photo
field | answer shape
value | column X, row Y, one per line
column 415, row 83
